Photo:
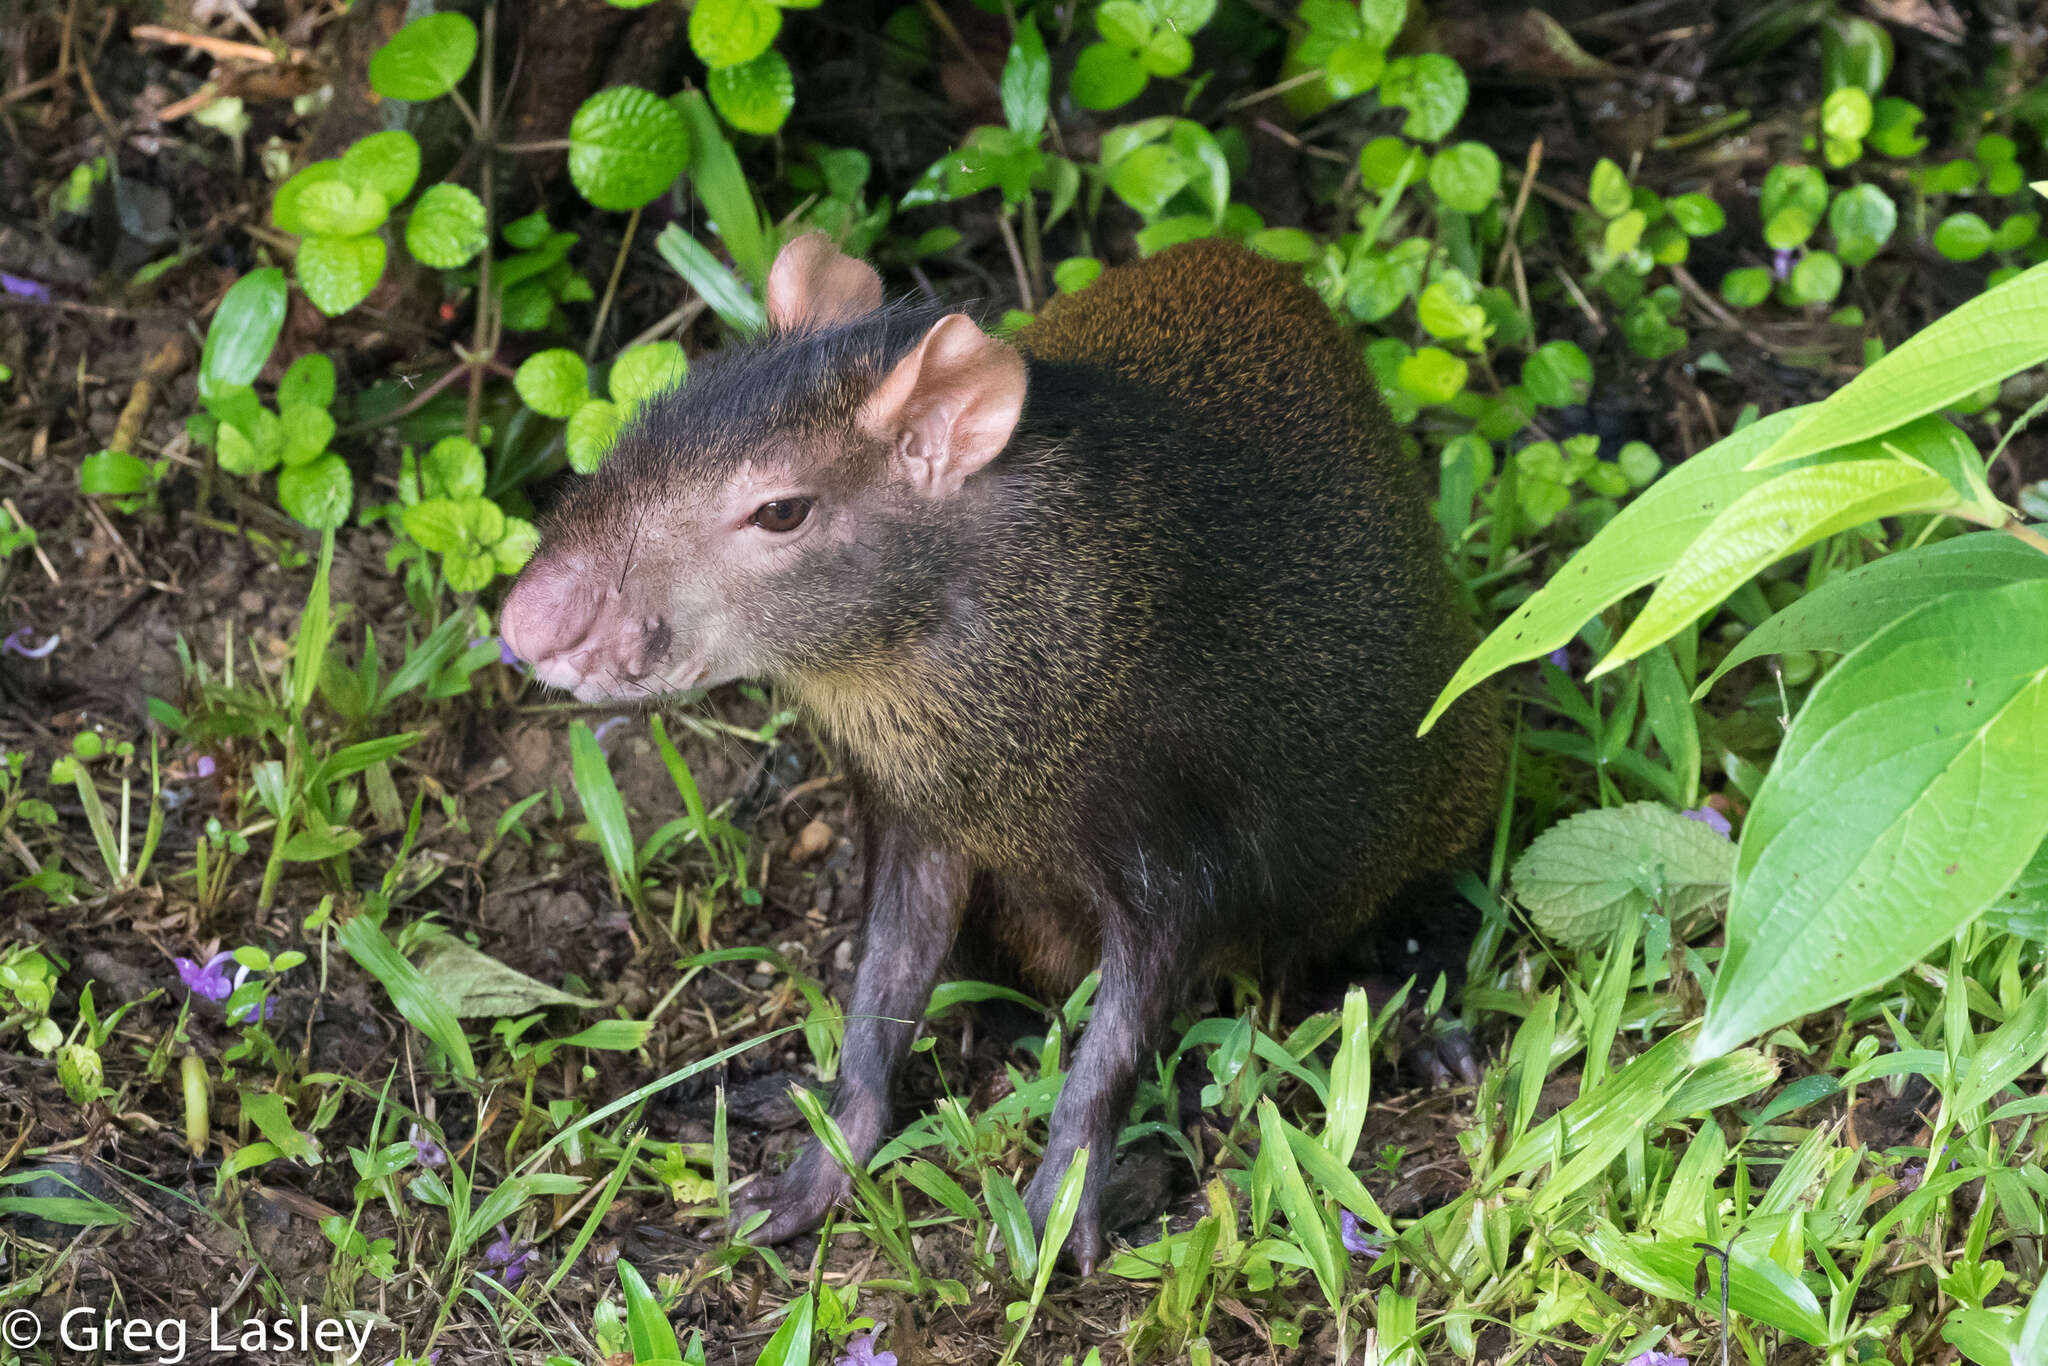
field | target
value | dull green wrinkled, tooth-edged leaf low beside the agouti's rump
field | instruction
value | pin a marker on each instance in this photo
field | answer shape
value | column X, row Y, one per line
column 1586, row 876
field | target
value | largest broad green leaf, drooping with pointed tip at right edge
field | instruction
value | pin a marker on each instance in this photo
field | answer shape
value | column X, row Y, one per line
column 1910, row 792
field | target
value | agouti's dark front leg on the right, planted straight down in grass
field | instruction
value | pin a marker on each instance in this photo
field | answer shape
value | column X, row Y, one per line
column 1132, row 1007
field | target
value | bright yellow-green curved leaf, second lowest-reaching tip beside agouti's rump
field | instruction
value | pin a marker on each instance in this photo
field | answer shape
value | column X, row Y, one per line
column 1766, row 525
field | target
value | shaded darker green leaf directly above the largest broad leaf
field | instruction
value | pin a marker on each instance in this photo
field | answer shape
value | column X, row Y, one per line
column 1852, row 607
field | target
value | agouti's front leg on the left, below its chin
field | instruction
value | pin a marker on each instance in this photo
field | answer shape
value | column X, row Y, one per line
column 914, row 900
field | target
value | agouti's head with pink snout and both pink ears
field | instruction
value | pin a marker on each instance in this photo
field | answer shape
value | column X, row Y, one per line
column 790, row 511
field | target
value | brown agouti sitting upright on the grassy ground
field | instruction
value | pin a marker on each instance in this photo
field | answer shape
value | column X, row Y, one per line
column 1121, row 630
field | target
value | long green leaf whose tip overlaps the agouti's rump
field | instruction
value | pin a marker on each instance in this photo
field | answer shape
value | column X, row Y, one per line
column 1633, row 550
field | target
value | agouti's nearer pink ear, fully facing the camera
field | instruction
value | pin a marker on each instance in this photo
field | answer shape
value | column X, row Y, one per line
column 949, row 407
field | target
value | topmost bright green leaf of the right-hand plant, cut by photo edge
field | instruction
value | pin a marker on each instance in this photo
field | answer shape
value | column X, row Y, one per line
column 1992, row 337
